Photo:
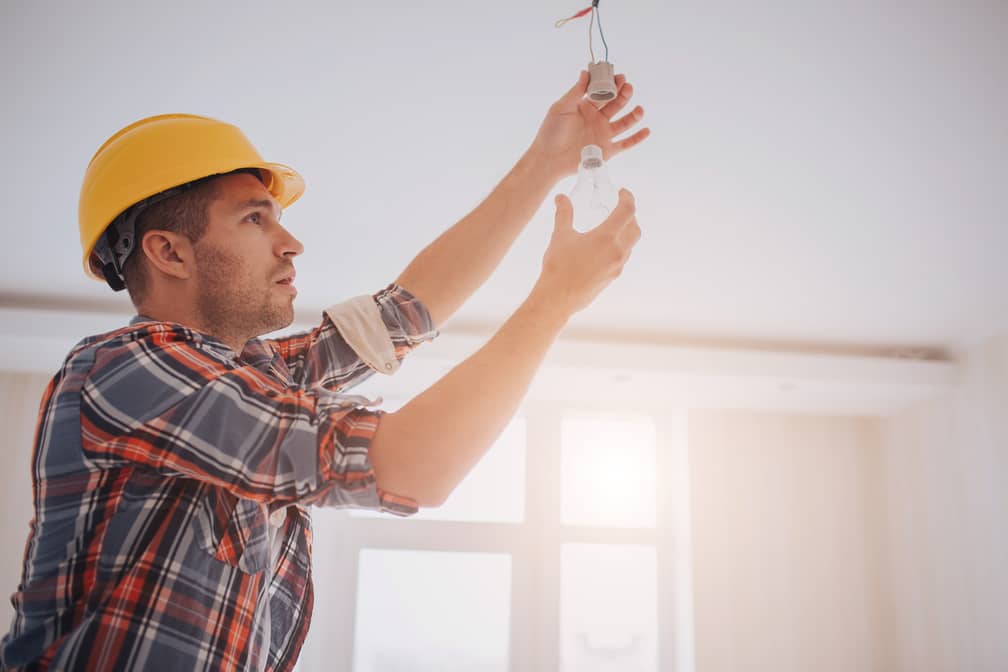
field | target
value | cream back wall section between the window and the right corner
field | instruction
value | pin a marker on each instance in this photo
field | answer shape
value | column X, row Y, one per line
column 786, row 543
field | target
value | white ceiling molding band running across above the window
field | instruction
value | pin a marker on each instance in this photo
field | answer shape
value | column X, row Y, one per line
column 581, row 368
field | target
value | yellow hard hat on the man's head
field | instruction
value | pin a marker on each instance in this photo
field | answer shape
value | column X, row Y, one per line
column 158, row 154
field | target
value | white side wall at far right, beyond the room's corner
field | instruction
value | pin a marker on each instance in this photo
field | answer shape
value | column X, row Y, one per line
column 946, row 477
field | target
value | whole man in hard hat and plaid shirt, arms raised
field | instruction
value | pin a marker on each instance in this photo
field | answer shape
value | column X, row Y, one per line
column 176, row 459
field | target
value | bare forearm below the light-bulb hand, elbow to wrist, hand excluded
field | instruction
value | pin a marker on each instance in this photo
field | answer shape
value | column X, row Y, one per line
column 424, row 450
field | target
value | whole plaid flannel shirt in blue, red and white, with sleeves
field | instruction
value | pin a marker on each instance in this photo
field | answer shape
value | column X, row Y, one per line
column 172, row 482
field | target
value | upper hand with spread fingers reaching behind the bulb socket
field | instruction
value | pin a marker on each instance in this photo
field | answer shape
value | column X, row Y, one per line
column 574, row 121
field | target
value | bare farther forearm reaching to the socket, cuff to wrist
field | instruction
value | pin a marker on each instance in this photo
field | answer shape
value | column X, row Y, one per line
column 452, row 268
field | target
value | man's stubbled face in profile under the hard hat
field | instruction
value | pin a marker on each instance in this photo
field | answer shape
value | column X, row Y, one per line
column 245, row 261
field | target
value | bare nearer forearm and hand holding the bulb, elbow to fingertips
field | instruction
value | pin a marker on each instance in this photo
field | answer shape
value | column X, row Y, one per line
column 426, row 449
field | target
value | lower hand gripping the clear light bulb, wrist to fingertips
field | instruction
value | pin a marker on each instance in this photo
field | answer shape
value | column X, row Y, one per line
column 577, row 266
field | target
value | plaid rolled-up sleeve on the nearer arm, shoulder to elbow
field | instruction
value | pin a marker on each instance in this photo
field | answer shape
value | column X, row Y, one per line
column 183, row 412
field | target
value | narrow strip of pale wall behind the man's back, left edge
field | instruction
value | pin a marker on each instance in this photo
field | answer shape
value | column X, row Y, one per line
column 21, row 394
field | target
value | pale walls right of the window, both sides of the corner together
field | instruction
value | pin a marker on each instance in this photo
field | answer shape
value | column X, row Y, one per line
column 857, row 545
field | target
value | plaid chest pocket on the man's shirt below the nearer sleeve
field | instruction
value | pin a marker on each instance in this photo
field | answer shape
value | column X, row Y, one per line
column 234, row 531
